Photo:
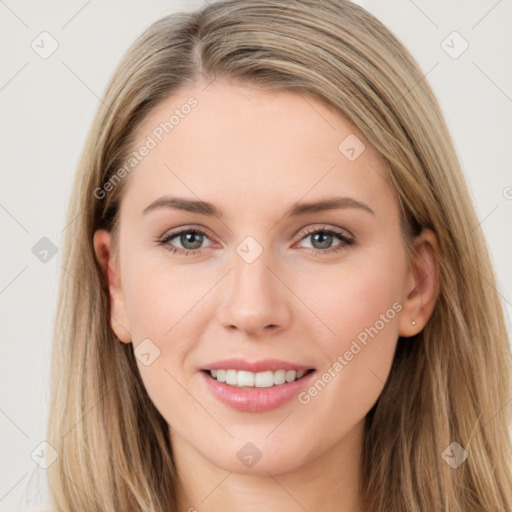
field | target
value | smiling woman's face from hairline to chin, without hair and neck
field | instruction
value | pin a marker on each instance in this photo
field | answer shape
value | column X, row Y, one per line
column 271, row 284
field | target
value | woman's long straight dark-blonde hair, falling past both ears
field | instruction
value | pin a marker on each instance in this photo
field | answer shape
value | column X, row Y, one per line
column 450, row 383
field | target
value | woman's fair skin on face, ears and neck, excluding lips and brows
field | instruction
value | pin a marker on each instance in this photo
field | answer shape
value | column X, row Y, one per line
column 254, row 154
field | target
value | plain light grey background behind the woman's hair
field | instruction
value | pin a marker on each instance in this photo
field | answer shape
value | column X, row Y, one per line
column 47, row 106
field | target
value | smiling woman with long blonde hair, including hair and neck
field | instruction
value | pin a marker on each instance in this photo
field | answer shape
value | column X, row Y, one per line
column 274, row 296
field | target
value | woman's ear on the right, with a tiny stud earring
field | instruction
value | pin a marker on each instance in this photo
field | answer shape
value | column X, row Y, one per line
column 422, row 285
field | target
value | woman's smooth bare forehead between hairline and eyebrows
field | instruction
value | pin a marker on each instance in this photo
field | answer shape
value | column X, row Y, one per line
column 235, row 142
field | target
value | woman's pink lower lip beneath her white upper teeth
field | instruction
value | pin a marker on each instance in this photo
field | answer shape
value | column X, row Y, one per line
column 256, row 399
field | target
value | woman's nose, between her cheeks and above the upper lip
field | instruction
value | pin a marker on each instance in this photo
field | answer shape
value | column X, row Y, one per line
column 256, row 299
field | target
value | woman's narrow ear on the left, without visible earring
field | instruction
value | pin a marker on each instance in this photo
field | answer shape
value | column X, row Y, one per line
column 110, row 267
